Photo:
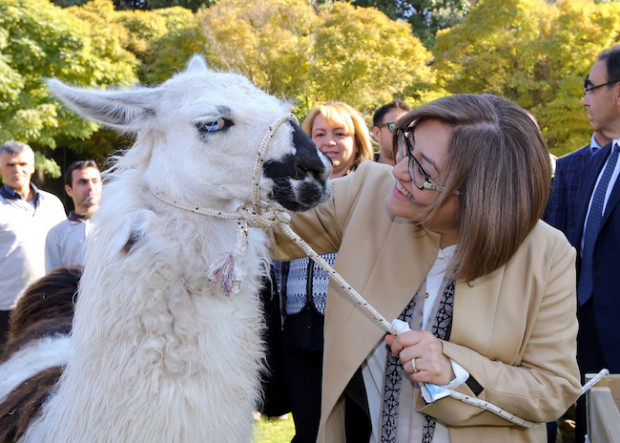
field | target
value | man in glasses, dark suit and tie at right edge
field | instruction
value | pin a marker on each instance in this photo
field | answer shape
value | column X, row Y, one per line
column 596, row 233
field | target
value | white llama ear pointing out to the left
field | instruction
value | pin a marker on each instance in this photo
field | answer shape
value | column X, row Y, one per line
column 123, row 110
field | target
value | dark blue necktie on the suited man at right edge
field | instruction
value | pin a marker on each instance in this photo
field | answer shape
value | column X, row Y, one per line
column 593, row 225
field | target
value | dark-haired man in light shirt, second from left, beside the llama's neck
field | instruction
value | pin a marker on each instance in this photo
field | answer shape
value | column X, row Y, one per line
column 65, row 241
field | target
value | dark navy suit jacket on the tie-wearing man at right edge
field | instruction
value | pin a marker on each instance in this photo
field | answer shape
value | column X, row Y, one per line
column 606, row 261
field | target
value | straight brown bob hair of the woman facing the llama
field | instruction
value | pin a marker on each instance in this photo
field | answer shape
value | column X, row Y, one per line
column 499, row 162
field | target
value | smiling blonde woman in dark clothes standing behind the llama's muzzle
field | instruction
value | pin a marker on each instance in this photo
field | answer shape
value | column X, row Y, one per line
column 340, row 132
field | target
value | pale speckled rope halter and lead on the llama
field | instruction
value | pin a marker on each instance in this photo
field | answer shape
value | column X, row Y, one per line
column 228, row 275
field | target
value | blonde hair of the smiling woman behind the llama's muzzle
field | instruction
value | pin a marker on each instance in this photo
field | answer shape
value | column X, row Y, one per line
column 354, row 124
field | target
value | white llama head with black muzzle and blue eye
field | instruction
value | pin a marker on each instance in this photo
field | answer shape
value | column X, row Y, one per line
column 199, row 135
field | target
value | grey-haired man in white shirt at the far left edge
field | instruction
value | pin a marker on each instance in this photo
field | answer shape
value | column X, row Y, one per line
column 26, row 216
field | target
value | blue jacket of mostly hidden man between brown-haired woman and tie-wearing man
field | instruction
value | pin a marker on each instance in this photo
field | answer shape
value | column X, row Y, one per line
column 562, row 206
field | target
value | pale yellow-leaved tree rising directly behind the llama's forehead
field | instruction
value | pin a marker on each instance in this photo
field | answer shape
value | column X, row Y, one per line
column 269, row 41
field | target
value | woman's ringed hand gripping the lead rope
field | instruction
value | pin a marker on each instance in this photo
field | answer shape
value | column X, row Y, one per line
column 430, row 365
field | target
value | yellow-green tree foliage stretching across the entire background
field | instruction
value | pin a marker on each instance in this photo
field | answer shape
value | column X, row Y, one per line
column 534, row 52
